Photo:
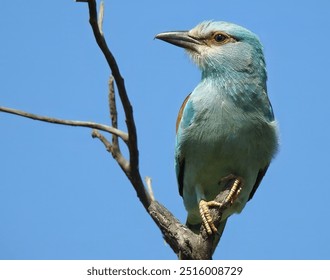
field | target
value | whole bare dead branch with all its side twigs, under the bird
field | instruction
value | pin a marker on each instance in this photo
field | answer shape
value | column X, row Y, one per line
column 182, row 240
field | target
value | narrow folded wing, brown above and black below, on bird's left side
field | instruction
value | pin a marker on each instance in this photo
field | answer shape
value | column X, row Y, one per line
column 179, row 158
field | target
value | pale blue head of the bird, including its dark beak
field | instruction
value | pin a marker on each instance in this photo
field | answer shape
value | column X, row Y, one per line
column 218, row 47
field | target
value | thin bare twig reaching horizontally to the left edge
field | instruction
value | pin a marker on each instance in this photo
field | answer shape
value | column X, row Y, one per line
column 92, row 125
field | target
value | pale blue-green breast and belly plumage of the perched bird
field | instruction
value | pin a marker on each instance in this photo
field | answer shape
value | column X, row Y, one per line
column 223, row 139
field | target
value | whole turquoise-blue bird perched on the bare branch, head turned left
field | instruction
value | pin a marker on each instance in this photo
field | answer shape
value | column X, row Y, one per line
column 226, row 131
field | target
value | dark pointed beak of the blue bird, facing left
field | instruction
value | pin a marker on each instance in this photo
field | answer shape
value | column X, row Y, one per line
column 181, row 39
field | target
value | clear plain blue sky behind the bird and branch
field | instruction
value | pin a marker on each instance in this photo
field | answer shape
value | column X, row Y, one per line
column 61, row 194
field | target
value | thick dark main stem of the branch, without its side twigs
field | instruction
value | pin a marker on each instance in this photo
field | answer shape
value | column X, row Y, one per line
column 181, row 239
